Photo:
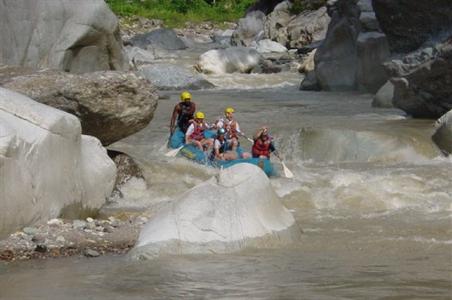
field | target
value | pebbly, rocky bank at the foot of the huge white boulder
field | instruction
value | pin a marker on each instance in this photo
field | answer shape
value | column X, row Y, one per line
column 63, row 237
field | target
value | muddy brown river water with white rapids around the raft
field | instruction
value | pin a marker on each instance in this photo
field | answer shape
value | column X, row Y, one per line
column 371, row 193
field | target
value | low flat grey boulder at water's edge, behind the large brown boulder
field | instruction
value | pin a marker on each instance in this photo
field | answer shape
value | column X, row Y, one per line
column 173, row 77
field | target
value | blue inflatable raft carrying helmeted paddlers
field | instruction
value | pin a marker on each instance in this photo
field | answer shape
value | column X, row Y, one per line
column 193, row 153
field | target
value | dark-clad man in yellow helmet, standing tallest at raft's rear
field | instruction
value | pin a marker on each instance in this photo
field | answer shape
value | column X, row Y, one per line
column 183, row 112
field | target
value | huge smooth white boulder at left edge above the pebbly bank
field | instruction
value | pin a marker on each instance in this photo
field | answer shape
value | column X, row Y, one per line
column 47, row 168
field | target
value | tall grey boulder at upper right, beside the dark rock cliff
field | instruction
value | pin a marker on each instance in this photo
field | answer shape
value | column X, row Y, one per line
column 350, row 57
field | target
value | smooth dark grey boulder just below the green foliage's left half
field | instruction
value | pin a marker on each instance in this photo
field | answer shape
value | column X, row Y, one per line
column 162, row 38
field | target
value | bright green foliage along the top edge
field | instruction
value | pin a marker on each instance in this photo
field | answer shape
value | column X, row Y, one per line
column 175, row 13
